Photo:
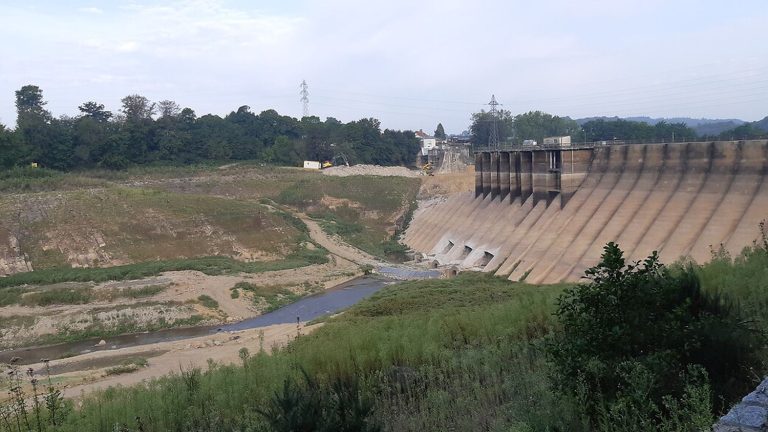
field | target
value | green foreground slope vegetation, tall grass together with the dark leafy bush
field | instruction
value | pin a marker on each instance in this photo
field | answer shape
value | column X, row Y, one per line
column 639, row 348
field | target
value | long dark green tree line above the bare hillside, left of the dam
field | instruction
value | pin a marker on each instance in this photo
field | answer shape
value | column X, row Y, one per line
column 145, row 132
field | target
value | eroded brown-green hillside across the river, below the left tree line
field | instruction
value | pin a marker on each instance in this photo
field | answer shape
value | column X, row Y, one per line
column 101, row 219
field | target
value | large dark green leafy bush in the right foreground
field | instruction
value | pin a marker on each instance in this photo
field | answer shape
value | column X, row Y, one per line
column 642, row 322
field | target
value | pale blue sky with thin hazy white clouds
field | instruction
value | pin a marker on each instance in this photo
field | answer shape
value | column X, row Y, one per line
column 411, row 64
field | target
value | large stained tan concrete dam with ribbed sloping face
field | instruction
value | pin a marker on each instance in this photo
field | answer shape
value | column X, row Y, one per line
column 544, row 214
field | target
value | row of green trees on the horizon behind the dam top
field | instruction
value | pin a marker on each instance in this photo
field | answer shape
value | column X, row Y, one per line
column 535, row 125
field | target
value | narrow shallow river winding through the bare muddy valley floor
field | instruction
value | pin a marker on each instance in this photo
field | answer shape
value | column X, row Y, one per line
column 306, row 309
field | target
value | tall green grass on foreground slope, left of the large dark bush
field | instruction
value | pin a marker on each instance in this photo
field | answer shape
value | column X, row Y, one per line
column 433, row 355
